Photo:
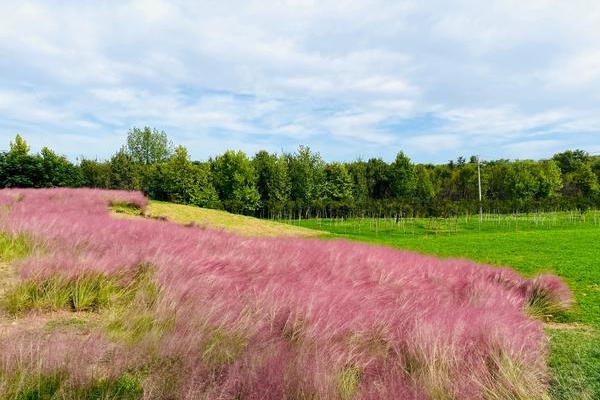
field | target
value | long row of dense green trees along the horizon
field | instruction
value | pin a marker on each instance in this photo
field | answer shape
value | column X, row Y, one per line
column 302, row 184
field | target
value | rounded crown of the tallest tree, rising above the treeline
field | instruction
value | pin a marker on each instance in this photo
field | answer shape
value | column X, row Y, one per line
column 148, row 146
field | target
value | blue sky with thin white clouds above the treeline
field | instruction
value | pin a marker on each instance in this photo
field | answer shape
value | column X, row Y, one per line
column 357, row 79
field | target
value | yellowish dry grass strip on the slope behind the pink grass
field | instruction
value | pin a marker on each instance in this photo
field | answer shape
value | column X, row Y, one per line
column 217, row 219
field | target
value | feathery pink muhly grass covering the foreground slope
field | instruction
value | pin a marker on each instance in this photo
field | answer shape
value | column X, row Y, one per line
column 281, row 318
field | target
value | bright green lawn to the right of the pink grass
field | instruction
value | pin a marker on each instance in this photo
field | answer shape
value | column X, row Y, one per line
column 565, row 244
